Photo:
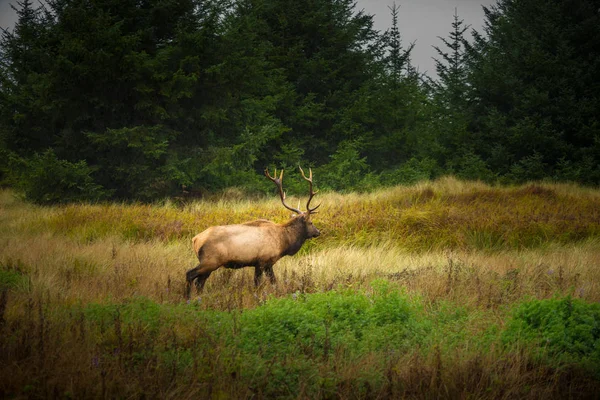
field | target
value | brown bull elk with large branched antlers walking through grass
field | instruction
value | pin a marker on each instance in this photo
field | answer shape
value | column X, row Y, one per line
column 259, row 244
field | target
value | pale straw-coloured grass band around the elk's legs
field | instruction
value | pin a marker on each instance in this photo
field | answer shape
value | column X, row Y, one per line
column 68, row 270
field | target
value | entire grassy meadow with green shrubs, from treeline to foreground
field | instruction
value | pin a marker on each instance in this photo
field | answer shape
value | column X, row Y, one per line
column 444, row 289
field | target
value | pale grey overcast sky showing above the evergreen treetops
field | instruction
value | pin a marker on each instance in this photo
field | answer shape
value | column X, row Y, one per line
column 420, row 21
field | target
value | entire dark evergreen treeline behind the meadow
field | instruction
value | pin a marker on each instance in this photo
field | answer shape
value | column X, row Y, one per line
column 141, row 99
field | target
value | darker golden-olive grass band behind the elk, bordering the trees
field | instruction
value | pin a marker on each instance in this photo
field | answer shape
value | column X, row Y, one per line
column 446, row 214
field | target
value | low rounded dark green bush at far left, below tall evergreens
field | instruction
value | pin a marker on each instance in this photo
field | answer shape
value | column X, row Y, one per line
column 46, row 179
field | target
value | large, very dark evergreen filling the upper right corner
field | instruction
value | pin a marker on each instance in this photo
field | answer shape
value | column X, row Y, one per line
column 535, row 89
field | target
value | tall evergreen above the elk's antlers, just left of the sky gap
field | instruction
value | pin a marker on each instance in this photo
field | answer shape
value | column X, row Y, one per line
column 323, row 49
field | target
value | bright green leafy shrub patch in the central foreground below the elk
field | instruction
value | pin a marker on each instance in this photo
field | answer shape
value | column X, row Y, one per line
column 313, row 325
